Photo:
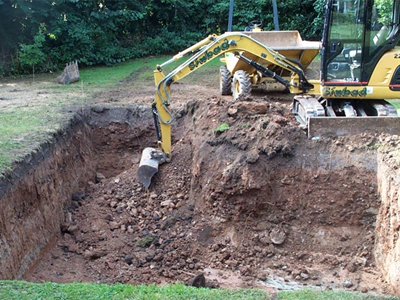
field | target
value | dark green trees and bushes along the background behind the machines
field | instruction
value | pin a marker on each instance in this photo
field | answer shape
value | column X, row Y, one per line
column 97, row 32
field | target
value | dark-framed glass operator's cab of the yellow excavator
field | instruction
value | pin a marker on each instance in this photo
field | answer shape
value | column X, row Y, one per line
column 357, row 34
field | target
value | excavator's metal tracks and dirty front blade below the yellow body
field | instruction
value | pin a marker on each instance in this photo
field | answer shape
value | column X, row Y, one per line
column 345, row 118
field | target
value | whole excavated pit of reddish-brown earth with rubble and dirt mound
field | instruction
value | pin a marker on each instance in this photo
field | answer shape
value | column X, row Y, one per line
column 250, row 204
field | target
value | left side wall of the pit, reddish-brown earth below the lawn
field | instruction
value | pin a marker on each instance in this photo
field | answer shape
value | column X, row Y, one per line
column 34, row 194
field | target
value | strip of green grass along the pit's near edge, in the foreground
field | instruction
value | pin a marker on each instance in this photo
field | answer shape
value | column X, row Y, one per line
column 21, row 290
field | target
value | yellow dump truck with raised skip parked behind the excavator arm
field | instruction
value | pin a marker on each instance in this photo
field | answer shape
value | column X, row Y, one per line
column 238, row 77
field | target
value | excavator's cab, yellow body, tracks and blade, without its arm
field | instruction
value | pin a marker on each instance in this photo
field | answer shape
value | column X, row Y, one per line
column 360, row 71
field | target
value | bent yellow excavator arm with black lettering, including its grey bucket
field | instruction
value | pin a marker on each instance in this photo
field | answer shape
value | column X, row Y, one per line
column 206, row 50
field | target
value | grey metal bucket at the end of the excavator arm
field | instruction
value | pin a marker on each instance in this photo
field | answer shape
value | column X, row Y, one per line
column 149, row 162
